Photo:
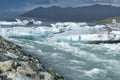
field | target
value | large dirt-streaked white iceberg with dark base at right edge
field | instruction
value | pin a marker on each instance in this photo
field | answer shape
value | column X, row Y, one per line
column 96, row 34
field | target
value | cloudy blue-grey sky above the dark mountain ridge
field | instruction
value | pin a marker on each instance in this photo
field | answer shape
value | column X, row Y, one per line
column 16, row 7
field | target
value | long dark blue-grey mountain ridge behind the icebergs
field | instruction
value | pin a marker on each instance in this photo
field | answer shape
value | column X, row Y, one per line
column 87, row 13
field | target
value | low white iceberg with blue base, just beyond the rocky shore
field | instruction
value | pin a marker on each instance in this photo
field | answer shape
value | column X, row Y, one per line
column 31, row 33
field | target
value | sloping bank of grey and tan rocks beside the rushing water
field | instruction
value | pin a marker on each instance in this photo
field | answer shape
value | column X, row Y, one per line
column 16, row 64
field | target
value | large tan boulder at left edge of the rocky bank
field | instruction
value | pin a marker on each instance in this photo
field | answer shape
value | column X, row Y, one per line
column 6, row 66
